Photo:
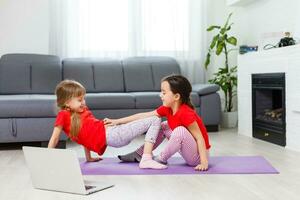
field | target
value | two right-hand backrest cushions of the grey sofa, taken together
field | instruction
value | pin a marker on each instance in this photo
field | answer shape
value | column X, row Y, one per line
column 109, row 75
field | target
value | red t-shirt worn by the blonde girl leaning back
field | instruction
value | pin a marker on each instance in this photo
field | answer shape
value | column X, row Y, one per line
column 92, row 131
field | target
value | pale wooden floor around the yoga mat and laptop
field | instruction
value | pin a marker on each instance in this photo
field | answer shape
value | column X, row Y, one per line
column 15, row 182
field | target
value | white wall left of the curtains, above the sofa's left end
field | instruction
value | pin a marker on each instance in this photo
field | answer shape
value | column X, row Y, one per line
column 24, row 26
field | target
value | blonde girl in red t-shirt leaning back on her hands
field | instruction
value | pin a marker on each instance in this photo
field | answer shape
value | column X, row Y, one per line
column 79, row 124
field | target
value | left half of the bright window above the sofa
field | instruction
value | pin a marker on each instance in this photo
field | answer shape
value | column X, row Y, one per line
column 103, row 25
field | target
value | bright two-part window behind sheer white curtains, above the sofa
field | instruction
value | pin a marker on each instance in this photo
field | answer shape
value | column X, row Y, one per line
column 152, row 25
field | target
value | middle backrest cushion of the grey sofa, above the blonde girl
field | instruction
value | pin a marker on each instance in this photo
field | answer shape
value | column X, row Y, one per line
column 96, row 75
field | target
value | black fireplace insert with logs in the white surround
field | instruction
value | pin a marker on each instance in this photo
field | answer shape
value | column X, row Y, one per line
column 268, row 107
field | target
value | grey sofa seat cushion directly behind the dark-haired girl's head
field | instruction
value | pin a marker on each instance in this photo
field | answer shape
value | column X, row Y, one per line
column 152, row 100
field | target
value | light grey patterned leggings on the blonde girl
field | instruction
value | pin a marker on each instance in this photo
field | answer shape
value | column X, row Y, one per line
column 122, row 135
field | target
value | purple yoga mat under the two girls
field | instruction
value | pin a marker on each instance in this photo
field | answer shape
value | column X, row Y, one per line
column 176, row 165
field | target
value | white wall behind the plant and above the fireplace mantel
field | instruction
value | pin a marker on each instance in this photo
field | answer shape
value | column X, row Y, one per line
column 252, row 21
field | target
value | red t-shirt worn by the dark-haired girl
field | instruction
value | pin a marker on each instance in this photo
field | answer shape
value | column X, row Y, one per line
column 183, row 117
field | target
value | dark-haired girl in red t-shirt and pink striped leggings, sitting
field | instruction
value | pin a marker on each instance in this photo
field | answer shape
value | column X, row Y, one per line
column 184, row 129
